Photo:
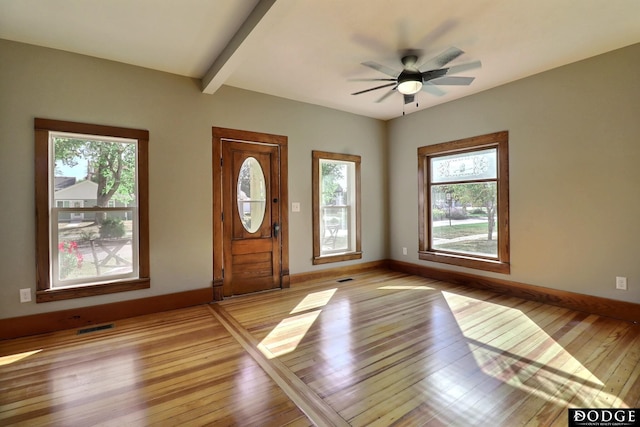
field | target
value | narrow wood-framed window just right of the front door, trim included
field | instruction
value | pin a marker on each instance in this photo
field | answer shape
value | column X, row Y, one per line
column 336, row 207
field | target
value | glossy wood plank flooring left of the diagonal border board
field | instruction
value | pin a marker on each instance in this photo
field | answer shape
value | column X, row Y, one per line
column 176, row 368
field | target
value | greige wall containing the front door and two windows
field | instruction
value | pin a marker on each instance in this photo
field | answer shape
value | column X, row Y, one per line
column 39, row 82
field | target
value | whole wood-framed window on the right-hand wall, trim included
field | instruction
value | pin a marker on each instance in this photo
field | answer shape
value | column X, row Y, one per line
column 464, row 202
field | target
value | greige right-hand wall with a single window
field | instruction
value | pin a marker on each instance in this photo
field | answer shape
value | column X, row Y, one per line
column 574, row 172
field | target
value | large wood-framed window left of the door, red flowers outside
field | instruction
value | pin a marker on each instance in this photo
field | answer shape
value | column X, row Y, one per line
column 92, row 209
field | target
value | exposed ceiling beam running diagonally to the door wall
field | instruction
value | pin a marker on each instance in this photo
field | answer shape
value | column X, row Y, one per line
column 248, row 37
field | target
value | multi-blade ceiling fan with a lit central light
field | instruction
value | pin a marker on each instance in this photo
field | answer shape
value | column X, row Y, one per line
column 412, row 80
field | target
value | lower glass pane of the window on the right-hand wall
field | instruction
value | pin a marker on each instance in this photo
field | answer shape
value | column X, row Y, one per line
column 464, row 218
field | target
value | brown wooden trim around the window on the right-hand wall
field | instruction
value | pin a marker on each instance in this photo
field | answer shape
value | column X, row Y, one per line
column 498, row 140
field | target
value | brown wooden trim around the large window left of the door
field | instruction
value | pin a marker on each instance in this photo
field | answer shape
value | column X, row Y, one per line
column 44, row 290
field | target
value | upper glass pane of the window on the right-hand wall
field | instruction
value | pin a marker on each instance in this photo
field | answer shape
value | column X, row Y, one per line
column 465, row 167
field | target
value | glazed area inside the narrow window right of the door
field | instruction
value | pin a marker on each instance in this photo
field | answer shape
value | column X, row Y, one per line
column 336, row 200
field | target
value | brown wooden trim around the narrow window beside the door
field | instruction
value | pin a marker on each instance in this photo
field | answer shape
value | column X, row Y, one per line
column 315, row 170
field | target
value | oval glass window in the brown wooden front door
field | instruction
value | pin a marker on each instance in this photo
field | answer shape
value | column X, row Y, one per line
column 251, row 194
